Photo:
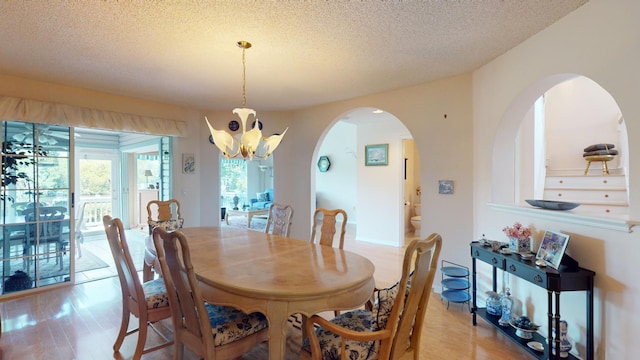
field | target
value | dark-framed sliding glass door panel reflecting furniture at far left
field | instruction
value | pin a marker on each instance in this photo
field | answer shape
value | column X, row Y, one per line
column 36, row 205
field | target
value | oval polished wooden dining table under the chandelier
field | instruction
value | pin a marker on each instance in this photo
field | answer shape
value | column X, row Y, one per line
column 276, row 276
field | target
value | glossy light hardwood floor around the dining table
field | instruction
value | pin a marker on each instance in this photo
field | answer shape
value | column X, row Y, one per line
column 81, row 322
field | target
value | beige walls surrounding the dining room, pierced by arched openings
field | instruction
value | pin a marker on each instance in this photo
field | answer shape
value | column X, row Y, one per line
column 483, row 112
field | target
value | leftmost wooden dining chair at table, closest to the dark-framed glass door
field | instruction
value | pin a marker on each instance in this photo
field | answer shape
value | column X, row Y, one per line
column 146, row 301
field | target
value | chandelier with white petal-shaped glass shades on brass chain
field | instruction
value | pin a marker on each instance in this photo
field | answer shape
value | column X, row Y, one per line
column 250, row 141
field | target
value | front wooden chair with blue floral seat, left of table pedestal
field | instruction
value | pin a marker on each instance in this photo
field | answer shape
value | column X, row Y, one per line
column 210, row 331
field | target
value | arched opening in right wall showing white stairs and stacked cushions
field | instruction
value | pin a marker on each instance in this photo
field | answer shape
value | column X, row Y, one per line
column 514, row 145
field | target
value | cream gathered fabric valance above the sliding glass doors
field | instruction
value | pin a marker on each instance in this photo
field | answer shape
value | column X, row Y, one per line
column 28, row 110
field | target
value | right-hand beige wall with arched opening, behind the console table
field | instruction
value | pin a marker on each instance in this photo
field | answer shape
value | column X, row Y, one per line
column 599, row 41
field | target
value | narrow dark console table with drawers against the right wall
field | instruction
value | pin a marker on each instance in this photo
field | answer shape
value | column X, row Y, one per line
column 569, row 277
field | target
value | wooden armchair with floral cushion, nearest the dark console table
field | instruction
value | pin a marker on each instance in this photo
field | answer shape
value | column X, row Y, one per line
column 391, row 329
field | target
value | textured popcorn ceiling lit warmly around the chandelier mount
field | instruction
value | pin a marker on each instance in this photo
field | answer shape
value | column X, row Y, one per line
column 304, row 53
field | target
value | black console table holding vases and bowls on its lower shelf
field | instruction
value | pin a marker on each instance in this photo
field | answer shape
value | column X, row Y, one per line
column 568, row 277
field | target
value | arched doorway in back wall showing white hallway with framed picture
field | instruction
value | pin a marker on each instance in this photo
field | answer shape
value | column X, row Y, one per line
column 377, row 199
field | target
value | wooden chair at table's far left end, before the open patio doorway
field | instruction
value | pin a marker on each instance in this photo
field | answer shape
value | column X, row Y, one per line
column 166, row 214
